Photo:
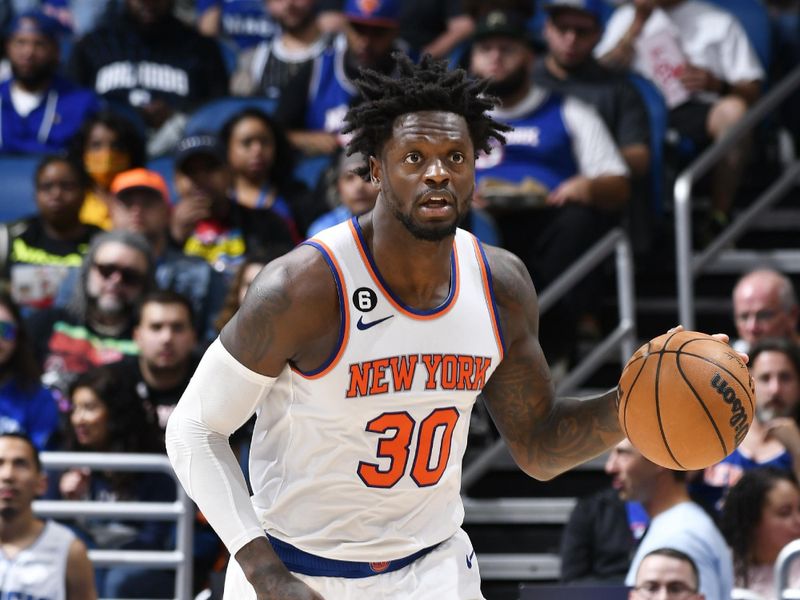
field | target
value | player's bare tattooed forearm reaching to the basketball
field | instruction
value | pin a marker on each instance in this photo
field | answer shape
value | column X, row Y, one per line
column 576, row 430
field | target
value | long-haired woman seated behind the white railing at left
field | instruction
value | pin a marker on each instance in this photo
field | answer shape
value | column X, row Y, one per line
column 106, row 417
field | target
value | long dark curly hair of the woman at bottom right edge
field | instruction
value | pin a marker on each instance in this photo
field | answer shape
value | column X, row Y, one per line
column 742, row 514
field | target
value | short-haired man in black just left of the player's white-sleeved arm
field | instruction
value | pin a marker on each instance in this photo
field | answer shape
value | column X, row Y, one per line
column 166, row 340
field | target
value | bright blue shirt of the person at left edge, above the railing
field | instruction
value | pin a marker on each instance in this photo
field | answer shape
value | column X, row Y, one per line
column 32, row 411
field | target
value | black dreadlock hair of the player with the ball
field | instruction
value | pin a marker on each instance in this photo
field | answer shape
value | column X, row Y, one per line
column 423, row 87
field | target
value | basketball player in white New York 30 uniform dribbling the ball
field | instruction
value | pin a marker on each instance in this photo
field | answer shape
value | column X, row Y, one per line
column 362, row 353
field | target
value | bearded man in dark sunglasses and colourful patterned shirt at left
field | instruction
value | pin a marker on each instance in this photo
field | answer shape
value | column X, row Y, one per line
column 97, row 326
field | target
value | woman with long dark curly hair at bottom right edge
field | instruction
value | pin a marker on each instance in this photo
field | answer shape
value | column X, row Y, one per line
column 760, row 516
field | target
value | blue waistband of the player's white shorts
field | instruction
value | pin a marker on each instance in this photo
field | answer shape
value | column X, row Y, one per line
column 305, row 563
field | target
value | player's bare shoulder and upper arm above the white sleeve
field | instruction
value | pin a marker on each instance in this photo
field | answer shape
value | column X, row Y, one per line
column 290, row 314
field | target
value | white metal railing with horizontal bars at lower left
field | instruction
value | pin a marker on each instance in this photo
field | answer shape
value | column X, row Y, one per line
column 181, row 511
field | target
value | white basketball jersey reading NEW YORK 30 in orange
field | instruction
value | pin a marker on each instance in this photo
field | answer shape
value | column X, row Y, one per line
column 361, row 459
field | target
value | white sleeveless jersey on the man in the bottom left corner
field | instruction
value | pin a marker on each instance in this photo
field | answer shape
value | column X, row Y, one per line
column 39, row 572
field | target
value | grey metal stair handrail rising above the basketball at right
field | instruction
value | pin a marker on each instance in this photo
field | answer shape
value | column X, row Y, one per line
column 687, row 267
